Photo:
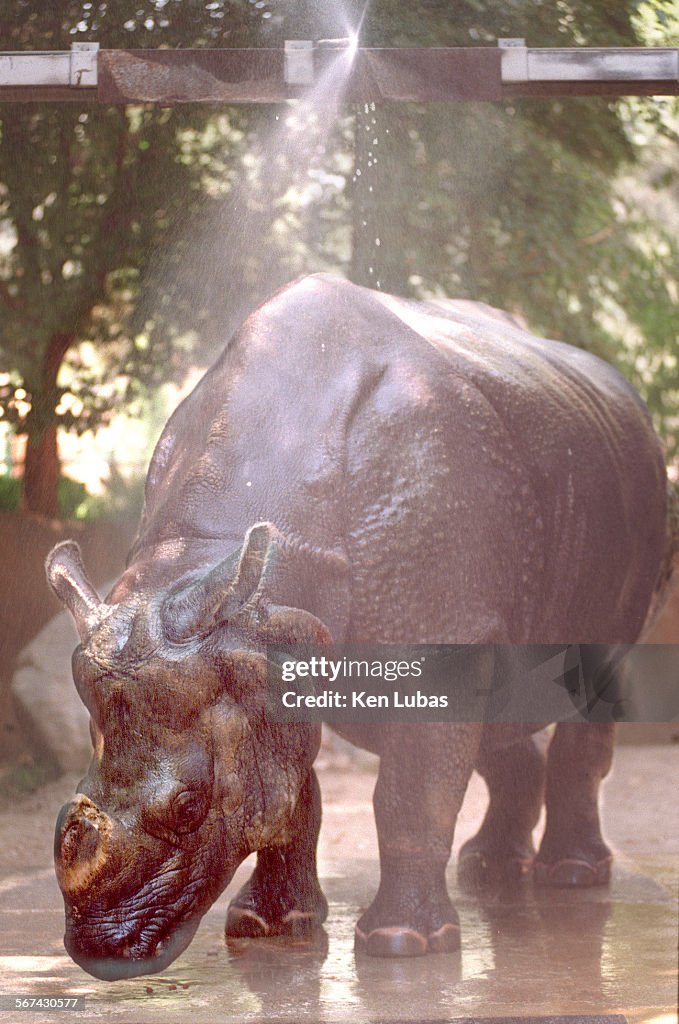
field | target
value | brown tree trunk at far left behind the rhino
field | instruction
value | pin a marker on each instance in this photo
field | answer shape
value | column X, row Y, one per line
column 43, row 467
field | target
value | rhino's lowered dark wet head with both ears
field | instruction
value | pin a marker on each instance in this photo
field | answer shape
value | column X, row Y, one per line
column 189, row 775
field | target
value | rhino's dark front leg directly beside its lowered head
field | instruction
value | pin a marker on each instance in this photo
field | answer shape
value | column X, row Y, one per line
column 283, row 895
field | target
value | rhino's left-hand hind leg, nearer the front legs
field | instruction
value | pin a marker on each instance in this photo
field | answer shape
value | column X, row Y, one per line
column 502, row 851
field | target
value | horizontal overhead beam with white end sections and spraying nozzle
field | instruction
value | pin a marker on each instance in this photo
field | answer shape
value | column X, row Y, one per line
column 337, row 69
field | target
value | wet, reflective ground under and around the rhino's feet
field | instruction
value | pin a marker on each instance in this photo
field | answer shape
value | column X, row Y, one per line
column 526, row 953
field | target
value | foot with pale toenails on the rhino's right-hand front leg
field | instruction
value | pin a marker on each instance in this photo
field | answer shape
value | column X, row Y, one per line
column 410, row 923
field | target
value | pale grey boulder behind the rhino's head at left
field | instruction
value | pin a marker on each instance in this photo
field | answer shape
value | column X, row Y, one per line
column 47, row 705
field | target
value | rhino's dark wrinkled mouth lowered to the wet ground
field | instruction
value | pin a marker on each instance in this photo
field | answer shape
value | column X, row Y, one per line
column 115, row 957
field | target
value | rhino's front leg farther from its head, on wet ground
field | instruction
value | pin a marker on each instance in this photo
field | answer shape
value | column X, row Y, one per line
column 425, row 772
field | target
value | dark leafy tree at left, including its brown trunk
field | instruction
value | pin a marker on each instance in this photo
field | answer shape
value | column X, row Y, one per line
column 88, row 195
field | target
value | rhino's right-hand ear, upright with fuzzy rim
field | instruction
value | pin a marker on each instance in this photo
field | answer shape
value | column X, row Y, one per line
column 225, row 590
